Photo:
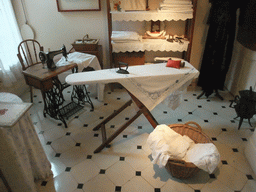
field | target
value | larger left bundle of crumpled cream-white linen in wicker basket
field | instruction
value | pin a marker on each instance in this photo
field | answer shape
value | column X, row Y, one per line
column 166, row 143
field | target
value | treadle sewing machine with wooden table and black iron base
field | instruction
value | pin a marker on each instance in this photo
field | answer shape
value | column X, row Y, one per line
column 46, row 79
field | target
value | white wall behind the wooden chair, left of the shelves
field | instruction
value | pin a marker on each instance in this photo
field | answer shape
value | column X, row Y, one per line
column 53, row 29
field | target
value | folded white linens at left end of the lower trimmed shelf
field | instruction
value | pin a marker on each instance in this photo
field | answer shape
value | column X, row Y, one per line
column 125, row 36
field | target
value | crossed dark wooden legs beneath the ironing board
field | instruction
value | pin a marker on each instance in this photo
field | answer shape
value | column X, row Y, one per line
column 142, row 109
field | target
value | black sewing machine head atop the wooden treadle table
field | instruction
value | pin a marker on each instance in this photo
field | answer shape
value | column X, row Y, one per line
column 48, row 57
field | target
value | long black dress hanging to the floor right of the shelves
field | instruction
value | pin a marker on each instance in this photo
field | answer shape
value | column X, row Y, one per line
column 219, row 45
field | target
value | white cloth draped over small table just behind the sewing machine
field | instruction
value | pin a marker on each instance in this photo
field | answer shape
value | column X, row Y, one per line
column 85, row 60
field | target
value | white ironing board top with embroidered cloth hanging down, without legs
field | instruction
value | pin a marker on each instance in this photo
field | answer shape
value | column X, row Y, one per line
column 151, row 84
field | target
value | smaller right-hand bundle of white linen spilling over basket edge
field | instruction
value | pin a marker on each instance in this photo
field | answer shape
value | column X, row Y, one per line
column 204, row 155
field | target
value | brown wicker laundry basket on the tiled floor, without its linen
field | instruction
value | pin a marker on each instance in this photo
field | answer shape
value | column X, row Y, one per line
column 179, row 168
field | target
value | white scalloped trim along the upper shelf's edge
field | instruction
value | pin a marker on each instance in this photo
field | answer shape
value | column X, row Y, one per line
column 150, row 15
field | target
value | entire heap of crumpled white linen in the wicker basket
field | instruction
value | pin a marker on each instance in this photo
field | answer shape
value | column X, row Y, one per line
column 165, row 143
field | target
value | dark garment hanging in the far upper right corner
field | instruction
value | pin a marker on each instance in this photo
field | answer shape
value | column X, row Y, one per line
column 246, row 34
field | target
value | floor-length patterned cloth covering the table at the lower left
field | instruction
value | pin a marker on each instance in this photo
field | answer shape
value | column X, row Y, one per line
column 22, row 157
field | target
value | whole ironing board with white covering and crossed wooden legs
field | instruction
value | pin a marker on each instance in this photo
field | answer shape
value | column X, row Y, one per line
column 148, row 85
